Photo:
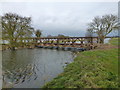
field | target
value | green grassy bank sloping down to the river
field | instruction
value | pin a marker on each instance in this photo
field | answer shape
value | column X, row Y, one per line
column 90, row 69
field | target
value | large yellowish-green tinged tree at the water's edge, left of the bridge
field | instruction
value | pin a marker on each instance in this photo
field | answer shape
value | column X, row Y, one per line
column 14, row 27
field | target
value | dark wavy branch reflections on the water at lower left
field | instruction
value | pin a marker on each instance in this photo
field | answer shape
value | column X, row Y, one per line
column 19, row 75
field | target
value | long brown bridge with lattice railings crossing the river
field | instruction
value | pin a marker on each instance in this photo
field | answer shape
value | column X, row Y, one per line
column 69, row 43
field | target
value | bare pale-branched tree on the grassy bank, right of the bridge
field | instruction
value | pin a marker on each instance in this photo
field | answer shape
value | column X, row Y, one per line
column 104, row 25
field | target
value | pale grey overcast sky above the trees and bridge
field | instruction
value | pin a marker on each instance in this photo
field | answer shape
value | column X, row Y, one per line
column 65, row 18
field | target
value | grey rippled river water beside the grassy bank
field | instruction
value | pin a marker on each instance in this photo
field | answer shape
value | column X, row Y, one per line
column 32, row 68
